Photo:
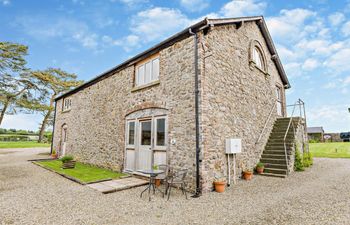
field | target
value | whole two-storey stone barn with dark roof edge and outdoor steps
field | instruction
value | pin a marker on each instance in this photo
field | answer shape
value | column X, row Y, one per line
column 177, row 103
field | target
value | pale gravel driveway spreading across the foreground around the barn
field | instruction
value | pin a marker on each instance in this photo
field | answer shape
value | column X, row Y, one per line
column 32, row 195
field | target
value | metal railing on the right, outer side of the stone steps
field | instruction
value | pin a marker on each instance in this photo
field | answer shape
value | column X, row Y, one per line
column 302, row 112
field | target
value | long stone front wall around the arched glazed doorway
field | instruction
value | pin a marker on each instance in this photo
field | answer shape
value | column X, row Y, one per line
column 96, row 121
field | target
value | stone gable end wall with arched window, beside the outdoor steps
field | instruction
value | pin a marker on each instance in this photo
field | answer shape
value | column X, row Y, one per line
column 237, row 98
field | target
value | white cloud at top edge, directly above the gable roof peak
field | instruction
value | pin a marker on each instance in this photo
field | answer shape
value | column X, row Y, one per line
column 239, row 8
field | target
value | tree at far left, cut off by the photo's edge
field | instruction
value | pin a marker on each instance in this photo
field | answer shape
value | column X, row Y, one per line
column 15, row 84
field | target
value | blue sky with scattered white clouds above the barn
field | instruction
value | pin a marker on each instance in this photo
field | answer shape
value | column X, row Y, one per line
column 89, row 37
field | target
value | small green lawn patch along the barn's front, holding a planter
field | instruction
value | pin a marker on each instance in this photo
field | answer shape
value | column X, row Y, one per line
column 82, row 172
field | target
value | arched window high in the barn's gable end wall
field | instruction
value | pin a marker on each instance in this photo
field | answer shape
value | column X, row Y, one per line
column 257, row 57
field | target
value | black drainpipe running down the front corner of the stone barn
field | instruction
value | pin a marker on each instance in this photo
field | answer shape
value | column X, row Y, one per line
column 196, row 92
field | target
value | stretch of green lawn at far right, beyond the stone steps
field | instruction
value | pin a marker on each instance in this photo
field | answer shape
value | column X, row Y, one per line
column 330, row 150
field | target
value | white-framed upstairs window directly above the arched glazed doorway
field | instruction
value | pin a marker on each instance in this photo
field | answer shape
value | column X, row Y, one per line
column 147, row 71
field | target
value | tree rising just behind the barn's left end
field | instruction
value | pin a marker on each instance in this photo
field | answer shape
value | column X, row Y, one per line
column 52, row 82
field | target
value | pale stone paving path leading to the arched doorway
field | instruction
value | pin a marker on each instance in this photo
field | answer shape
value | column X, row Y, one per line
column 117, row 185
